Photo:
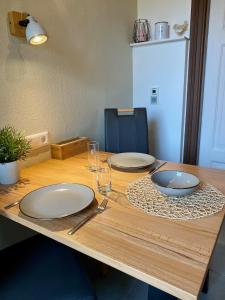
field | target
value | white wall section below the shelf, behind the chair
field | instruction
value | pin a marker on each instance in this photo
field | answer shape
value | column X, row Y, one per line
column 162, row 66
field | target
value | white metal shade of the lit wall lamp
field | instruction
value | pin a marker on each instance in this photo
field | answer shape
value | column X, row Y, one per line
column 35, row 33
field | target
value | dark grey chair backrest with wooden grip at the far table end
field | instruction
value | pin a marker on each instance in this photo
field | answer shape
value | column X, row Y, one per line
column 126, row 132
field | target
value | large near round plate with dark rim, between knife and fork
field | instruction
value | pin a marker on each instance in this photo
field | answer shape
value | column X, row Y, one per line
column 56, row 201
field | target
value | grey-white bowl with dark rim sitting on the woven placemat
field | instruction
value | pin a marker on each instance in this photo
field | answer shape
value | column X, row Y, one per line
column 175, row 183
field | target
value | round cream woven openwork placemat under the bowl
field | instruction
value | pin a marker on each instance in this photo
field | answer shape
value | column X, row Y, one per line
column 205, row 201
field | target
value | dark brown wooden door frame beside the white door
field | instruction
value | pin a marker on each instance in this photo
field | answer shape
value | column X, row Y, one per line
column 199, row 24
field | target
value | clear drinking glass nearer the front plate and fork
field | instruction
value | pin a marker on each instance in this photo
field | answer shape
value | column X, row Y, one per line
column 104, row 180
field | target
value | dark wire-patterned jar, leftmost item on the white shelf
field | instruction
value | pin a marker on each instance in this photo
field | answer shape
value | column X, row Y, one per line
column 141, row 31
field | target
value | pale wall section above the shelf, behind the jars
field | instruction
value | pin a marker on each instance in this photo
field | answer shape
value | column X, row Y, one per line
column 173, row 11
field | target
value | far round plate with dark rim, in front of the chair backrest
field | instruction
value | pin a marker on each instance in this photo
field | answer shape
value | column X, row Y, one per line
column 131, row 160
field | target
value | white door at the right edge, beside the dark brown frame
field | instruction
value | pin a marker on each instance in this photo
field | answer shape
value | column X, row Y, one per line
column 212, row 140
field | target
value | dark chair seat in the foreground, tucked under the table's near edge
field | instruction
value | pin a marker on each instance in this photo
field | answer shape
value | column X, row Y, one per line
column 40, row 268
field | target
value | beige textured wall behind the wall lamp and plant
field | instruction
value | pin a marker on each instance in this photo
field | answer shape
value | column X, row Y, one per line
column 64, row 85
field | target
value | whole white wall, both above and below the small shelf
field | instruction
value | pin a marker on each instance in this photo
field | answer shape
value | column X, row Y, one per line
column 163, row 66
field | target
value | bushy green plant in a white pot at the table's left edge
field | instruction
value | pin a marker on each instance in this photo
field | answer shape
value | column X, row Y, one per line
column 13, row 147
